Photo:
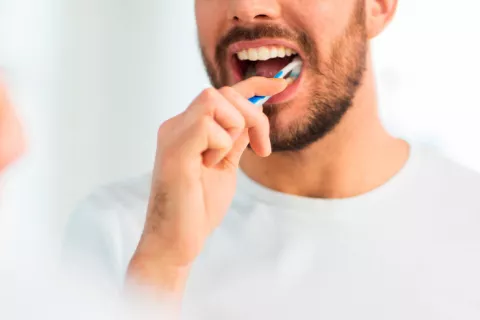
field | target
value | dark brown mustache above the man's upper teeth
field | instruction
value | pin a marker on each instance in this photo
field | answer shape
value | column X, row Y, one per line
column 261, row 31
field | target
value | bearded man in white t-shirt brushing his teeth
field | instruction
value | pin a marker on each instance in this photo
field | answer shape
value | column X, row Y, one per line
column 309, row 201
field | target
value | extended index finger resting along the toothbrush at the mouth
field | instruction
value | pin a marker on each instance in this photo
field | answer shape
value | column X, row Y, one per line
column 260, row 86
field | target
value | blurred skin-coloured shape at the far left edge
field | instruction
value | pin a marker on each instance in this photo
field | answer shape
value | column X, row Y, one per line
column 11, row 136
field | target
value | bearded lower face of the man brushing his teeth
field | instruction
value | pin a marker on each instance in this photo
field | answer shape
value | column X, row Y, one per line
column 242, row 38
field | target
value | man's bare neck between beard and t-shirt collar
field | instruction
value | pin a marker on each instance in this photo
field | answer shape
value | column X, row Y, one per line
column 356, row 157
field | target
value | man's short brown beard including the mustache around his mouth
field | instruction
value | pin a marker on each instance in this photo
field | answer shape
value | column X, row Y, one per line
column 333, row 81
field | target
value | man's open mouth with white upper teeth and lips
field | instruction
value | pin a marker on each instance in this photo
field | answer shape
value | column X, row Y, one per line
column 249, row 60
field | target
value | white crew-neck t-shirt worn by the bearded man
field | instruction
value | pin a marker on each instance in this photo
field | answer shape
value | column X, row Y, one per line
column 407, row 250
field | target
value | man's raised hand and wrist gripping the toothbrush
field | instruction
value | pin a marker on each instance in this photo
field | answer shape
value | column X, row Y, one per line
column 194, row 178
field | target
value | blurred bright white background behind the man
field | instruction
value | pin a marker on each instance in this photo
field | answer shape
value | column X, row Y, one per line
column 93, row 80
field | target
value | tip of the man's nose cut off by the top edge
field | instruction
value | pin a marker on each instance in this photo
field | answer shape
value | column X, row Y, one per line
column 250, row 11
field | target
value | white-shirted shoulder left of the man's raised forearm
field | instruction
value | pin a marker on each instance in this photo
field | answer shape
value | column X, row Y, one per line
column 107, row 225
